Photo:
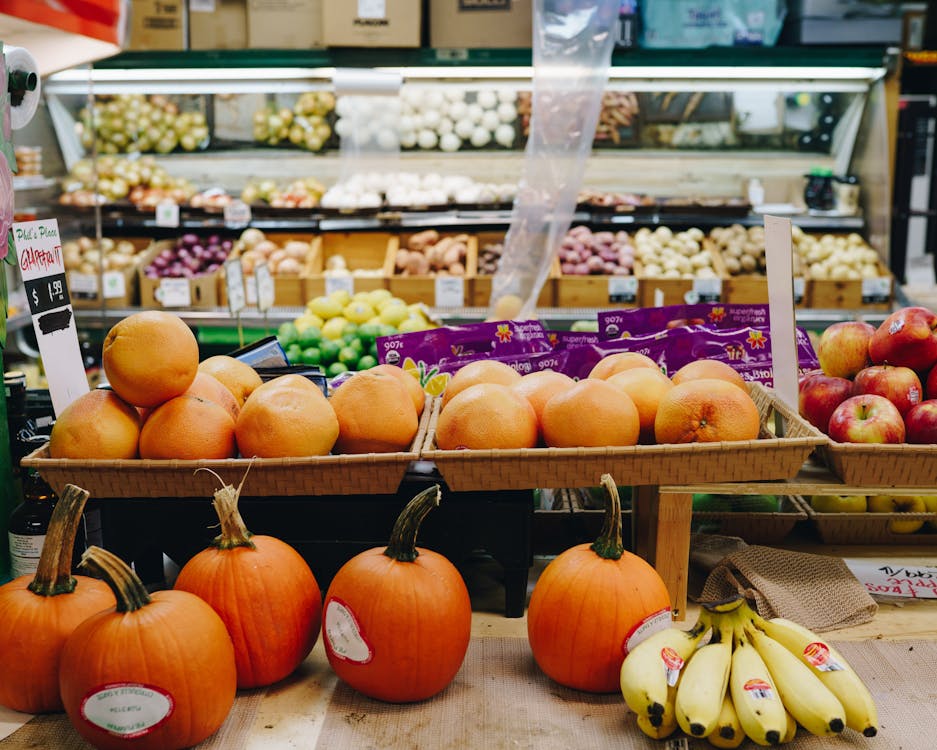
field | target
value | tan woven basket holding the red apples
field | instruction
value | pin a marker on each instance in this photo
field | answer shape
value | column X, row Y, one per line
column 885, row 465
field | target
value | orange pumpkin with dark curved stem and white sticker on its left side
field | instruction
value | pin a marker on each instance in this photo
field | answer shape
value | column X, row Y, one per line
column 397, row 621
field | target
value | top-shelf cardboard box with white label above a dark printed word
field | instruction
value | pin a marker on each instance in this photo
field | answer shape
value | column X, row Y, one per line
column 372, row 23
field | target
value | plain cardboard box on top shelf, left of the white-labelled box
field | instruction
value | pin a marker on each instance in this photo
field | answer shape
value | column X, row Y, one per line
column 284, row 24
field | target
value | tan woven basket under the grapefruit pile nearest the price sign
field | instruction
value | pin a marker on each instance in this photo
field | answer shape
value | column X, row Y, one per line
column 352, row 474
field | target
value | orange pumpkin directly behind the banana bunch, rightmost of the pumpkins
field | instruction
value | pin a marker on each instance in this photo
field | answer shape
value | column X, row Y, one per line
column 589, row 602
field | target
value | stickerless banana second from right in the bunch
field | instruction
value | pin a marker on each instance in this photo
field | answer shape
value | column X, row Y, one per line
column 804, row 696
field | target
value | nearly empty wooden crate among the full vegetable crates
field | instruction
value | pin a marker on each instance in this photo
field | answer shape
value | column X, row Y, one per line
column 363, row 251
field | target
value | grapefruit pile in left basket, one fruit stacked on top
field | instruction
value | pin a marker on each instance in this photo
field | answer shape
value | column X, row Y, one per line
column 164, row 404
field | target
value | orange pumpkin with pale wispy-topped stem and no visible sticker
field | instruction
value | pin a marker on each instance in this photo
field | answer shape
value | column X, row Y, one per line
column 263, row 590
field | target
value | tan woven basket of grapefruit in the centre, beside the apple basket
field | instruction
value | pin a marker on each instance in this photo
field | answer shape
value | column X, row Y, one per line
column 768, row 457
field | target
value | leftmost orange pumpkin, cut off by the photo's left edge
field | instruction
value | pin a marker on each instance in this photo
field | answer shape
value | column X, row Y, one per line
column 38, row 613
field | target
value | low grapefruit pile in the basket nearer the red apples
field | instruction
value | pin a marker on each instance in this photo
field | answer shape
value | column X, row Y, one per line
column 626, row 400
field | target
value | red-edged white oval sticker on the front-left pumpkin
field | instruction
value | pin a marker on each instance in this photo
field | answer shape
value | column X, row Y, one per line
column 126, row 709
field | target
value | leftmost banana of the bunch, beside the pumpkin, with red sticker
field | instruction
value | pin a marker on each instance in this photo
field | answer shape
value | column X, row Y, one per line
column 651, row 669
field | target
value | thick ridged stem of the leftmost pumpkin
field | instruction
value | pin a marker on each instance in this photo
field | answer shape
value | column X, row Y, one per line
column 54, row 573
